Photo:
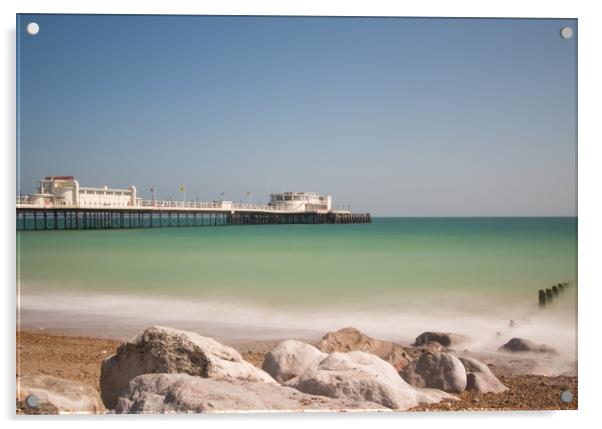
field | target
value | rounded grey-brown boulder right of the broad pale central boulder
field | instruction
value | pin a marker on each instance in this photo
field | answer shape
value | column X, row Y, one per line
column 437, row 371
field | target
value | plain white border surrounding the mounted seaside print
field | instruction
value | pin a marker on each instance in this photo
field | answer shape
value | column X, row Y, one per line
column 590, row 216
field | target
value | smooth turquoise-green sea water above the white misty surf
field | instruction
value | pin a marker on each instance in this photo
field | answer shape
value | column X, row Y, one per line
column 308, row 265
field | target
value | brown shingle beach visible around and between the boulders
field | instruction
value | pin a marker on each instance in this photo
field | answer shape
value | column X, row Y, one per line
column 79, row 359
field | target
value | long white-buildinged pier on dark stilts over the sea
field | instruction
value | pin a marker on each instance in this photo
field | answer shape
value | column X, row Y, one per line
column 61, row 203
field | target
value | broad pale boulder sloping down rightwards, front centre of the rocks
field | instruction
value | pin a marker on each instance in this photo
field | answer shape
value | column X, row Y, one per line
column 360, row 376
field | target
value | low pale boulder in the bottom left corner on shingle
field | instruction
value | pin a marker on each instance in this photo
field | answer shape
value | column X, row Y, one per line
column 63, row 396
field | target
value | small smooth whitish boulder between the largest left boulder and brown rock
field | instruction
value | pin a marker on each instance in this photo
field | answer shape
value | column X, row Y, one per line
column 290, row 359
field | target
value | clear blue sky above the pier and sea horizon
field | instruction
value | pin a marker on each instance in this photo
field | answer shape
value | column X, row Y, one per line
column 392, row 116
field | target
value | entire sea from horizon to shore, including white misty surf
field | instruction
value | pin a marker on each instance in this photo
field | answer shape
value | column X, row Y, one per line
column 393, row 278
